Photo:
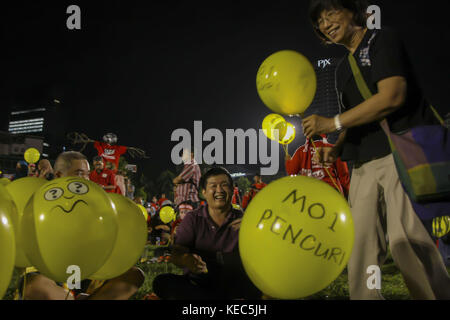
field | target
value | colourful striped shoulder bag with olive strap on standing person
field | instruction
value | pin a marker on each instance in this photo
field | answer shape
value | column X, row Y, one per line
column 422, row 157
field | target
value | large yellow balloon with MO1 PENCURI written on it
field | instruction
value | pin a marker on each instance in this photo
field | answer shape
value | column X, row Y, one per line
column 296, row 237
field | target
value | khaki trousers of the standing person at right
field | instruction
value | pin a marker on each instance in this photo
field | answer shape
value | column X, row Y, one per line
column 412, row 249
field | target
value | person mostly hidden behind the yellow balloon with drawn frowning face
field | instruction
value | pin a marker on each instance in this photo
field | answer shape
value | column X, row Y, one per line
column 122, row 287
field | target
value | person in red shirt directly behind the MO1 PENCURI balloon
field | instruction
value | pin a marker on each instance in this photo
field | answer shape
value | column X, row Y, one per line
column 305, row 162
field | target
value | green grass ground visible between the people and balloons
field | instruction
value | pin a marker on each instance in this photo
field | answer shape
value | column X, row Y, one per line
column 393, row 286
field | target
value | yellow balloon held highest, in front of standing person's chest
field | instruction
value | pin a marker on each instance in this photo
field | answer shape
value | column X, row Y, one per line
column 286, row 82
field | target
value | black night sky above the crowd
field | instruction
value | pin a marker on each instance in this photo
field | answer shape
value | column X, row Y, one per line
column 142, row 69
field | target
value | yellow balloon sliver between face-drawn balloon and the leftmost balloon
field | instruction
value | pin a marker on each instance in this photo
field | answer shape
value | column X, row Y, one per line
column 21, row 191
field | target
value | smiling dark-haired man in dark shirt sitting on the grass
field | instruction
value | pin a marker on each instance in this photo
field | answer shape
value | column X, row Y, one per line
column 206, row 246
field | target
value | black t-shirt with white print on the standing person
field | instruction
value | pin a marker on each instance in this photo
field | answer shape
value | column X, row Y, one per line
column 380, row 55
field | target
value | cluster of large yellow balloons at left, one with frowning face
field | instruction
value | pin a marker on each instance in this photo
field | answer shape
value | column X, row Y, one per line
column 68, row 222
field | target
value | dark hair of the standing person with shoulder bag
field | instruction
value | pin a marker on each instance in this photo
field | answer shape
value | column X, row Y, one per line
column 316, row 7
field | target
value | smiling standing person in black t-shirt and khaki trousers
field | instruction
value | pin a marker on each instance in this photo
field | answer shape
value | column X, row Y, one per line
column 385, row 66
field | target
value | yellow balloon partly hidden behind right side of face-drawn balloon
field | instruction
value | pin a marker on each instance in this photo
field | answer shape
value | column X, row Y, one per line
column 131, row 239
